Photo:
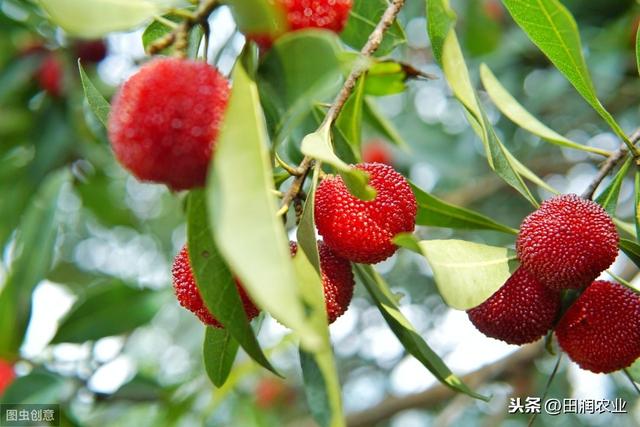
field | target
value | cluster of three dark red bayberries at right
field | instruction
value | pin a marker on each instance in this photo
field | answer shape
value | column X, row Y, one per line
column 563, row 247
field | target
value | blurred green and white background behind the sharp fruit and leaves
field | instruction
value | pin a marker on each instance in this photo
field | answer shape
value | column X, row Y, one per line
column 114, row 232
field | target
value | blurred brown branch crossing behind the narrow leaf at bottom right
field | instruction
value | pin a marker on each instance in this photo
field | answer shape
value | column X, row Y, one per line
column 435, row 395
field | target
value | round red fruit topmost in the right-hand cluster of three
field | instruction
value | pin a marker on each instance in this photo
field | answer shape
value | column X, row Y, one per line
column 567, row 242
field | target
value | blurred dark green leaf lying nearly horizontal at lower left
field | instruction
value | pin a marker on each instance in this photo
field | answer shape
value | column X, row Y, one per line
column 99, row 313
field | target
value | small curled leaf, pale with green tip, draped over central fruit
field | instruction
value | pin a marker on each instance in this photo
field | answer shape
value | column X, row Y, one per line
column 318, row 145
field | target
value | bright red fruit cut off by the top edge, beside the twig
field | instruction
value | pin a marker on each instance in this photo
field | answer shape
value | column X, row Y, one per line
column 330, row 15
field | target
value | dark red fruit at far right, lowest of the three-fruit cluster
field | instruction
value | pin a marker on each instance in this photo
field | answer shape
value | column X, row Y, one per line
column 601, row 330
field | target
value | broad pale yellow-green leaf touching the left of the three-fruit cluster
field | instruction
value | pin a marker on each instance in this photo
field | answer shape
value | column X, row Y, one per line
column 467, row 273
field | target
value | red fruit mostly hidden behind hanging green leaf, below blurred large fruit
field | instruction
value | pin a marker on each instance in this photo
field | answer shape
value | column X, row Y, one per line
column 189, row 296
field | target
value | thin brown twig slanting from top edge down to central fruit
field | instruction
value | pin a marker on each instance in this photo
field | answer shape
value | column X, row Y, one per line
column 361, row 66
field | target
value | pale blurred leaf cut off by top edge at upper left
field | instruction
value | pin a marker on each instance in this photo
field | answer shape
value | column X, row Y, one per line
column 96, row 18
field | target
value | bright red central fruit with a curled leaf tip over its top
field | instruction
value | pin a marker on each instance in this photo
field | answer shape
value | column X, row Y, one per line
column 361, row 231
